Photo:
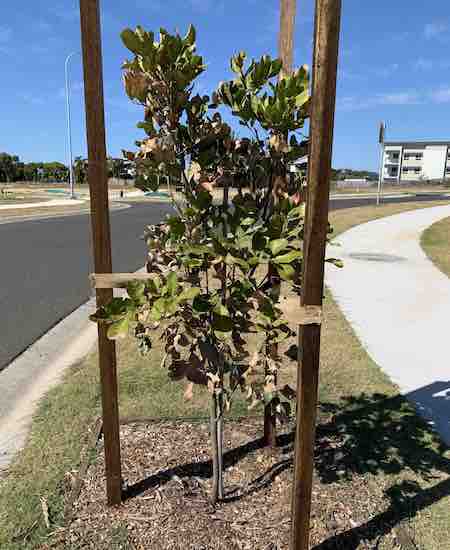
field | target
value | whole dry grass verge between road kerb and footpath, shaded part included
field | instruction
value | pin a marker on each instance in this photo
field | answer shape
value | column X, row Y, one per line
column 382, row 436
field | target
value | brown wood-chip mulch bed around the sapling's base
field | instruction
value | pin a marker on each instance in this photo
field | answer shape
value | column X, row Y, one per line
column 167, row 471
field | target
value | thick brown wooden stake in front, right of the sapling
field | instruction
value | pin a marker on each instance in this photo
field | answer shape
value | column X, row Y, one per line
column 326, row 45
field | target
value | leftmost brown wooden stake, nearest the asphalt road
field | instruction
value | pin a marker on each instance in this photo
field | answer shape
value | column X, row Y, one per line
column 98, row 187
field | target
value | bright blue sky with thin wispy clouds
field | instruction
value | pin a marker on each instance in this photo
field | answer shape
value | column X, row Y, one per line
column 394, row 65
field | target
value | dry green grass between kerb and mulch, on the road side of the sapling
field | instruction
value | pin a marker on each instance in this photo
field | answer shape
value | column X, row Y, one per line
column 59, row 434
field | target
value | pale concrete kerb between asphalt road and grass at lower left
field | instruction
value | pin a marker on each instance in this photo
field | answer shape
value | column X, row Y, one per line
column 34, row 372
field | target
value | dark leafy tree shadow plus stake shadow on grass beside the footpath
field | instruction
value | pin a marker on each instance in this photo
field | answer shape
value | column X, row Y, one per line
column 380, row 435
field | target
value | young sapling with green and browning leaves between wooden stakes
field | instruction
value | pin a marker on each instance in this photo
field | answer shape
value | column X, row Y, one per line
column 208, row 291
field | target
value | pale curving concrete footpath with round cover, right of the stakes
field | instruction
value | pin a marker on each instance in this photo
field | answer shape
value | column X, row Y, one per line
column 398, row 303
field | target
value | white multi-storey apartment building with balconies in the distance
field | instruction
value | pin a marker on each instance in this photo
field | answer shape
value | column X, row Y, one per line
column 415, row 161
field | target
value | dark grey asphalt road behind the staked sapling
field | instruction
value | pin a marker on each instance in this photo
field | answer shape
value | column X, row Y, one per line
column 45, row 266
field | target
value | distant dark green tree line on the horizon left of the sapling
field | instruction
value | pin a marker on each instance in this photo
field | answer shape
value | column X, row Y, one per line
column 12, row 169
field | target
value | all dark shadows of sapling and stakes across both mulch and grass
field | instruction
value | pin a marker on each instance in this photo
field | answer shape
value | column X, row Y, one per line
column 370, row 434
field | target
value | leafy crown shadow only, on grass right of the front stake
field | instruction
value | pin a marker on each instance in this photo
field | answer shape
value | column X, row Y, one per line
column 372, row 434
